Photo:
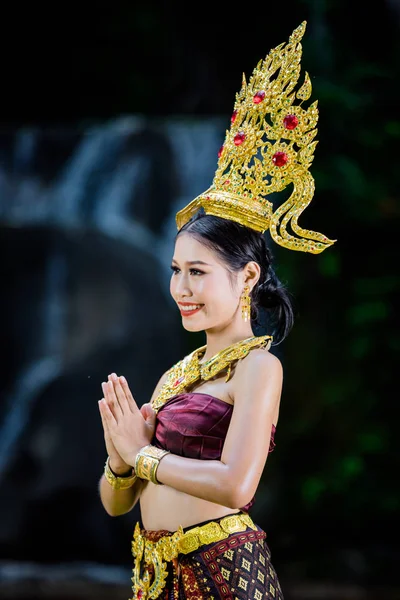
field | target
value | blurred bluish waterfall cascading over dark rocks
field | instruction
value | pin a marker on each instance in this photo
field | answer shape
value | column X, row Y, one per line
column 93, row 179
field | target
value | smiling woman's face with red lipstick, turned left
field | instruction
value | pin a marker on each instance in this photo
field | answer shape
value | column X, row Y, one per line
column 201, row 287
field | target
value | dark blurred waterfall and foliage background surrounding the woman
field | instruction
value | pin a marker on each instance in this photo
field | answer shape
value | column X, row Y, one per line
column 111, row 119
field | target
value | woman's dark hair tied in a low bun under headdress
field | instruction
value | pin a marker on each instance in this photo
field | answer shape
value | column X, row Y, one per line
column 236, row 245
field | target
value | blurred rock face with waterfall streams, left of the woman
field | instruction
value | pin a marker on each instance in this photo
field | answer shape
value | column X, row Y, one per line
column 86, row 238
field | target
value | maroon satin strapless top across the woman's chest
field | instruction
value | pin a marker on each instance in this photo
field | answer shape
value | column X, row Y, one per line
column 195, row 425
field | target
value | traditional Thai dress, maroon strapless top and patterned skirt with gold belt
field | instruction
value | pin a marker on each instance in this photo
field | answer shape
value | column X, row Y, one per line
column 224, row 558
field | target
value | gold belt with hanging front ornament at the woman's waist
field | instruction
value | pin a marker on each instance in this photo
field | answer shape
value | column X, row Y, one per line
column 168, row 547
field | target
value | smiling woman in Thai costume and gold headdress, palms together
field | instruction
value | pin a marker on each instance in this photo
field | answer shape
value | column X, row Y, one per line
column 194, row 455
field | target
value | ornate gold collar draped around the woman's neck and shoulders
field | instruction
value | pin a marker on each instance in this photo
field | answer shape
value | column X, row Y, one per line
column 190, row 370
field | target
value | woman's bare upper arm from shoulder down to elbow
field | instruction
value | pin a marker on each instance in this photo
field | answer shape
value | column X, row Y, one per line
column 257, row 393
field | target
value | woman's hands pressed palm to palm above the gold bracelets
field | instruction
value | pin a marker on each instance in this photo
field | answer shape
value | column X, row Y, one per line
column 129, row 429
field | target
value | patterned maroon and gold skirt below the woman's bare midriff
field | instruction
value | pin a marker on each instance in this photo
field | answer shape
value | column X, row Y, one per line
column 237, row 567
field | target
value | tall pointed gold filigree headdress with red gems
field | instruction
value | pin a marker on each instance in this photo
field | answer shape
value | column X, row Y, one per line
column 270, row 144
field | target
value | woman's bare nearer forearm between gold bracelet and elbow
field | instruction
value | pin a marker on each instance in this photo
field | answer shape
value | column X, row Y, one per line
column 210, row 480
